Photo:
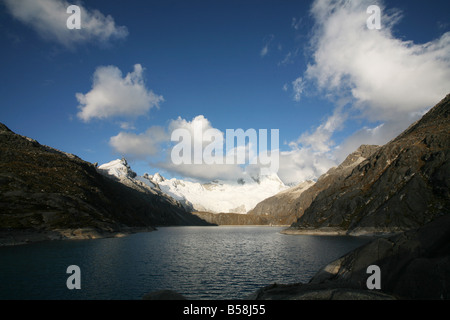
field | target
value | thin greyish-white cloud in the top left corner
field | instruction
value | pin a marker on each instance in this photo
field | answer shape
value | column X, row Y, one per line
column 49, row 17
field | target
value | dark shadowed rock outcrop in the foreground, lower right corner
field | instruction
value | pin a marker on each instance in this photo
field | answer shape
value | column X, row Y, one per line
column 413, row 265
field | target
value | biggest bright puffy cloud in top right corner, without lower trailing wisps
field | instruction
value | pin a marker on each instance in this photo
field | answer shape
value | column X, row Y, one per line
column 387, row 77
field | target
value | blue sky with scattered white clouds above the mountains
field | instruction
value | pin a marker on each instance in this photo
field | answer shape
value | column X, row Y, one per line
column 308, row 68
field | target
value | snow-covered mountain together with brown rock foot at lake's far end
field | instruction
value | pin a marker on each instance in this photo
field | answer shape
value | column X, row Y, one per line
column 217, row 202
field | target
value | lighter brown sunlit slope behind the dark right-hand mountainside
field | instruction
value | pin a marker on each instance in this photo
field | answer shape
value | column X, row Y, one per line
column 286, row 207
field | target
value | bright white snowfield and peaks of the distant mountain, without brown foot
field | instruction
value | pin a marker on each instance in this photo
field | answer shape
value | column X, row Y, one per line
column 216, row 196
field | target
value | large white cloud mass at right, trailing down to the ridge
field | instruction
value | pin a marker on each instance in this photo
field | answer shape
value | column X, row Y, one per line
column 384, row 82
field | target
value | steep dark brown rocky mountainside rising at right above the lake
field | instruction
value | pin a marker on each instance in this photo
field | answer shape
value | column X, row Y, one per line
column 402, row 185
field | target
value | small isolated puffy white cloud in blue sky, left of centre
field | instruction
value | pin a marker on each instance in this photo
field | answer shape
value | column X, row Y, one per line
column 113, row 95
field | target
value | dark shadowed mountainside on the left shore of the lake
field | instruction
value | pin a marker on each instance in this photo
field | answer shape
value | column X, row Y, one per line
column 48, row 191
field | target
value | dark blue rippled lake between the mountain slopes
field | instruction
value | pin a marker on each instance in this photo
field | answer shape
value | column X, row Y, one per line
column 215, row 263
